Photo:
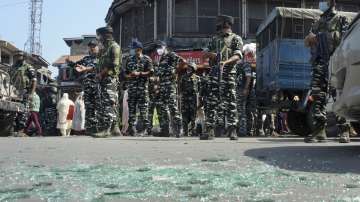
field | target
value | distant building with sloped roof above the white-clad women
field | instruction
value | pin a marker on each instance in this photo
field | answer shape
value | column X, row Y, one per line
column 67, row 77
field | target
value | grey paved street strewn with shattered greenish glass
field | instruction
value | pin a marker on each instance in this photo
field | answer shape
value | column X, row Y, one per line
column 161, row 169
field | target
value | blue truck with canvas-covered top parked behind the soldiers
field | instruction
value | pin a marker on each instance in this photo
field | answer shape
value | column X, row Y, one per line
column 283, row 65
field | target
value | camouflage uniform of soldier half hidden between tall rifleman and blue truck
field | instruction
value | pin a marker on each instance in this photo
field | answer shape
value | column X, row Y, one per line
column 243, row 71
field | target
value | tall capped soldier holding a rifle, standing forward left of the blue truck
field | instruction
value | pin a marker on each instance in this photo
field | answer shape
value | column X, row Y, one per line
column 224, row 51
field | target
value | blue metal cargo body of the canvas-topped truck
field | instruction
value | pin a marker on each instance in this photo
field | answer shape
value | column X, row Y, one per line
column 284, row 65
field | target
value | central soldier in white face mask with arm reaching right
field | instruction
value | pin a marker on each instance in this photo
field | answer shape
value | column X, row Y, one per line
column 168, row 64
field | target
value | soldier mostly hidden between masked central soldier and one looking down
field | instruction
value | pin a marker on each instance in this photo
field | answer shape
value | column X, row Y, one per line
column 154, row 97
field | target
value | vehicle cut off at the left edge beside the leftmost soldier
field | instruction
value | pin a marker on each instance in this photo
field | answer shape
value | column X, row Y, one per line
column 10, row 102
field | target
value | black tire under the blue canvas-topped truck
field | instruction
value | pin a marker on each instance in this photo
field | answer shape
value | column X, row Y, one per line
column 298, row 123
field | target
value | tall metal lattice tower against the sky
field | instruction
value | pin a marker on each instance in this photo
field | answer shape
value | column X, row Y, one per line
column 33, row 44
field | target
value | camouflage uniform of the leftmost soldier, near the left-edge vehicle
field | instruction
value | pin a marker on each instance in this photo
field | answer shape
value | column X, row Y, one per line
column 21, row 77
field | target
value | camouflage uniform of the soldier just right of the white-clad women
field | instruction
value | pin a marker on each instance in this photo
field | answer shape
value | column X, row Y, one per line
column 91, row 92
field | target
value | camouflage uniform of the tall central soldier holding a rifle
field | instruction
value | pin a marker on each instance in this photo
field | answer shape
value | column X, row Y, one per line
column 223, row 83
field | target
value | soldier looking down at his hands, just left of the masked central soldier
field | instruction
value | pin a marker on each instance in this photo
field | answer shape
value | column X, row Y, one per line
column 138, row 69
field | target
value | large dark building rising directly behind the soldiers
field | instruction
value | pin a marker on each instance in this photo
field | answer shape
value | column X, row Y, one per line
column 188, row 24
